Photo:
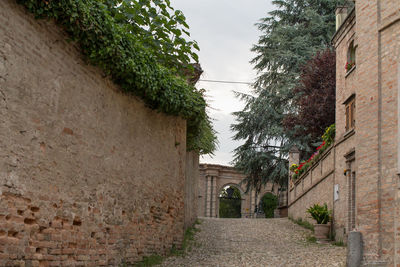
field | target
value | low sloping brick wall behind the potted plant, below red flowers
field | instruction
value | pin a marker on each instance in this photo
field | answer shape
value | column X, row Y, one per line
column 317, row 186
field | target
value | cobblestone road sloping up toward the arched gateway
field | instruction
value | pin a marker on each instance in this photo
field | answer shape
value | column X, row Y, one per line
column 253, row 243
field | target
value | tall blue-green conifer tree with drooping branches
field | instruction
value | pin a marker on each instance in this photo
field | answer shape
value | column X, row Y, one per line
column 291, row 35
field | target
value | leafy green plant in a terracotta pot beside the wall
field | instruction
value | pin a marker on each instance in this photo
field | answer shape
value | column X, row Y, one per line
column 322, row 215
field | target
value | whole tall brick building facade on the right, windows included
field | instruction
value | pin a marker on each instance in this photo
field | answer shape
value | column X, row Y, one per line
column 367, row 162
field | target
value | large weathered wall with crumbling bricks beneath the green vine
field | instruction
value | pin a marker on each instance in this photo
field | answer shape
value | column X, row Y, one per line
column 88, row 176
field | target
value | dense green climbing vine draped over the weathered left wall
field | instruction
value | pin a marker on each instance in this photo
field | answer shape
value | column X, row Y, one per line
column 135, row 68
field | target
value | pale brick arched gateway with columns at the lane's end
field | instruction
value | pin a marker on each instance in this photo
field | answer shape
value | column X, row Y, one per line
column 214, row 180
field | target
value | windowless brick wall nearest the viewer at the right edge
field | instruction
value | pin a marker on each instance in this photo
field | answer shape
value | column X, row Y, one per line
column 377, row 184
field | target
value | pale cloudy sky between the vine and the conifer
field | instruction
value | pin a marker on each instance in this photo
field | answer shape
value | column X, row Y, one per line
column 225, row 32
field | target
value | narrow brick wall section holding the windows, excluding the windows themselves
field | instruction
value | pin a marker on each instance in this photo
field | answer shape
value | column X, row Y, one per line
column 346, row 85
